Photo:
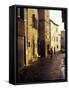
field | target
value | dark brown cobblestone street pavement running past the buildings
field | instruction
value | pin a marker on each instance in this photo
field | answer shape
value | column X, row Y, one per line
column 44, row 69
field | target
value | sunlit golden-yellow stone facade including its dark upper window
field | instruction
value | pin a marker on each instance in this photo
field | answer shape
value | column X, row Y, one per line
column 32, row 35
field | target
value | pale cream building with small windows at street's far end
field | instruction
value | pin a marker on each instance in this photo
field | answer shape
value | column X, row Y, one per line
column 55, row 37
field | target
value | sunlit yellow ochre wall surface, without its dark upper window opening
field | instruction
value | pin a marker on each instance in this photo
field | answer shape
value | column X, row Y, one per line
column 32, row 34
